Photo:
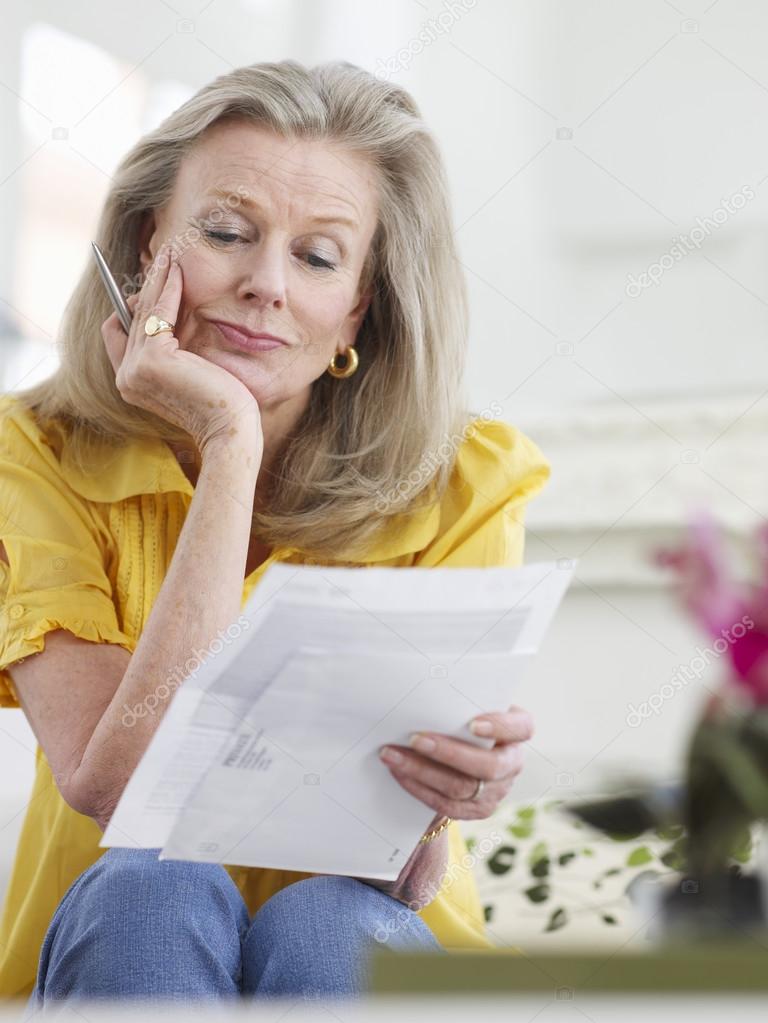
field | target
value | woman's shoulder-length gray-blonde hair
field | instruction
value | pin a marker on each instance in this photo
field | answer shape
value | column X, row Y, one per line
column 362, row 437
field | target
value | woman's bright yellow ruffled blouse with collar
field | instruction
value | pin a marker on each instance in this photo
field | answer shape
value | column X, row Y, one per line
column 89, row 554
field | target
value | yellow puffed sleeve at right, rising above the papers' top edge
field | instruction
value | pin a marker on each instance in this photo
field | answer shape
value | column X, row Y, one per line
column 498, row 471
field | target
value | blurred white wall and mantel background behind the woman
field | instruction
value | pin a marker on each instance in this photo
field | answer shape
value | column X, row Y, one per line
column 582, row 141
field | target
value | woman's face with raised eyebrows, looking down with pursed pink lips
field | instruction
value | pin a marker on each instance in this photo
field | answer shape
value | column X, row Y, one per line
column 246, row 219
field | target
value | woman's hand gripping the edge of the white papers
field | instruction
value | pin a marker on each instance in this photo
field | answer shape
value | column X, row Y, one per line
column 446, row 775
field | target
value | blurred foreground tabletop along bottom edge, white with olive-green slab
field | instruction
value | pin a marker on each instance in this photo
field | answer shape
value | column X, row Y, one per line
column 703, row 983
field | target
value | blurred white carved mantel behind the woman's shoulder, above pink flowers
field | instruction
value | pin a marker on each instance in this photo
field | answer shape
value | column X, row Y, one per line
column 626, row 477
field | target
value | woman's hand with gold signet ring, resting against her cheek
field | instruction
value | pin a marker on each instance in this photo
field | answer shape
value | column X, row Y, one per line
column 156, row 374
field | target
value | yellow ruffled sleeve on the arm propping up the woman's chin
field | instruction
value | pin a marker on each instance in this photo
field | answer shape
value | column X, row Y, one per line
column 56, row 576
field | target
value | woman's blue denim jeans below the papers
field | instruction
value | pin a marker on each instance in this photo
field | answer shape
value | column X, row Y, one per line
column 133, row 926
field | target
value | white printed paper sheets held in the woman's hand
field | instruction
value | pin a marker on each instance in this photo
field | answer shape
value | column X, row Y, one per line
column 268, row 755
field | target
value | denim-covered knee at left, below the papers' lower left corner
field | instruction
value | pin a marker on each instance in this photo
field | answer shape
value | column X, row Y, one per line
column 131, row 921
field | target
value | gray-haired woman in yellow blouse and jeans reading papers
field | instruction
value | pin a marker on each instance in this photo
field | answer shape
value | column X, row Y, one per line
column 149, row 484
